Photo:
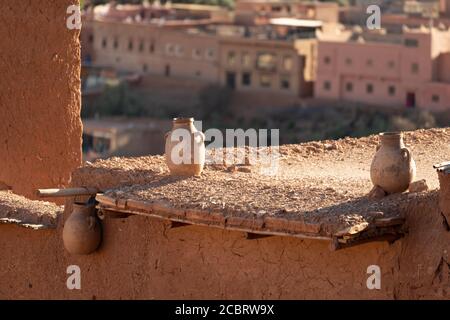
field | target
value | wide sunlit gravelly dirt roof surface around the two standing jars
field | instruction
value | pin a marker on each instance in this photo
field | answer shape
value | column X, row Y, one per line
column 323, row 184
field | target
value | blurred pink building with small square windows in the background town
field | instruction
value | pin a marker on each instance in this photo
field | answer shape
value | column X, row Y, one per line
column 411, row 69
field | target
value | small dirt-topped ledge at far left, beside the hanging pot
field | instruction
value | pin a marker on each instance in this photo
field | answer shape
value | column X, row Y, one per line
column 22, row 211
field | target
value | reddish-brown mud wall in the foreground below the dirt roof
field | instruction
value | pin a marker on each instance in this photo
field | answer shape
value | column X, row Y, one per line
column 140, row 258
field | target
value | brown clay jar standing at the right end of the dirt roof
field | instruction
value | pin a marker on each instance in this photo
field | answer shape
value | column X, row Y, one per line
column 393, row 167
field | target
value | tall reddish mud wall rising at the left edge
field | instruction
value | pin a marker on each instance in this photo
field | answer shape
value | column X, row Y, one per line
column 40, row 126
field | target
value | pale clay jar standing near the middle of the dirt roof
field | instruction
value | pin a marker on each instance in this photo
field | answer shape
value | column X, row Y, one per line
column 185, row 148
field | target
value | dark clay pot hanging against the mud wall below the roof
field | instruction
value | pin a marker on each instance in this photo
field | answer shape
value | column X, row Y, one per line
column 82, row 230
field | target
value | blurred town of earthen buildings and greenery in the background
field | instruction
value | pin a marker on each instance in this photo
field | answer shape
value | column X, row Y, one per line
column 311, row 69
